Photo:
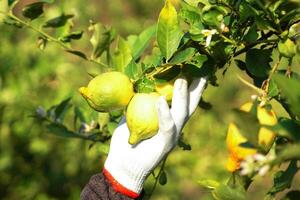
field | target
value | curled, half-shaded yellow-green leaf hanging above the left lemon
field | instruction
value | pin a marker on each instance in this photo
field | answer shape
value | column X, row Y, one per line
column 101, row 39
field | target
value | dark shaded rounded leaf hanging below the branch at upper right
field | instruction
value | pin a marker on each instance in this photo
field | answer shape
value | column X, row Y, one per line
column 257, row 62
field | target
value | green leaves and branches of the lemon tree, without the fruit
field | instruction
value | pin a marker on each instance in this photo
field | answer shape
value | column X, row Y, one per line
column 202, row 38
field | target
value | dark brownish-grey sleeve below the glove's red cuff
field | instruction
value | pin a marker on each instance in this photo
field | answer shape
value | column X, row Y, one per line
column 98, row 188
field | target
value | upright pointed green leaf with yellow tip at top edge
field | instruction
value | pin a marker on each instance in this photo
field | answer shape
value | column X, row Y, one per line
column 168, row 31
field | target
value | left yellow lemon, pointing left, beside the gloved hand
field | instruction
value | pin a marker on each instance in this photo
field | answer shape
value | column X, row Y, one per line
column 108, row 91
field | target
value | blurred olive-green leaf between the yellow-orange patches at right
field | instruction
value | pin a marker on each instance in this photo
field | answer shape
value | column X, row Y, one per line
column 248, row 125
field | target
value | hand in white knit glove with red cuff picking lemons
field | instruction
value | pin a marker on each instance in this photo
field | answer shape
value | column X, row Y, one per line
column 127, row 166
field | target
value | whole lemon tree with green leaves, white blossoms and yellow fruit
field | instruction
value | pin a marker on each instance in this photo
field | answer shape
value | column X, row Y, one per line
column 194, row 38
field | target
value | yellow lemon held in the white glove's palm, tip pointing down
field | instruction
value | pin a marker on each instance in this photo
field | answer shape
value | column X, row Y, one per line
column 141, row 117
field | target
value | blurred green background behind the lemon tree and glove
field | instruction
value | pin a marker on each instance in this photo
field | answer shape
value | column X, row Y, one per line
column 38, row 165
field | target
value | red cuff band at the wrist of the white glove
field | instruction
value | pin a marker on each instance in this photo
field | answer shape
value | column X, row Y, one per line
column 118, row 187
